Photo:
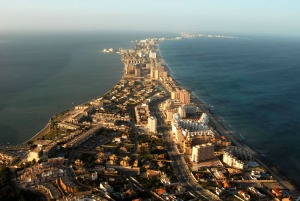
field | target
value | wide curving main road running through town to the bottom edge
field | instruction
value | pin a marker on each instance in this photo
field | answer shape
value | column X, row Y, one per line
column 180, row 167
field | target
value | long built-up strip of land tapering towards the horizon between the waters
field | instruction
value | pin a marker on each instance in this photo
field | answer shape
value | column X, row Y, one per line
column 146, row 138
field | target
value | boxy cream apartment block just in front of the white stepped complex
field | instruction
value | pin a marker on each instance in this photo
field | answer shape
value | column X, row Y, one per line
column 202, row 152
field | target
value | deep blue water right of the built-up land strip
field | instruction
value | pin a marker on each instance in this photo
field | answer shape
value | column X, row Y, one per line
column 253, row 85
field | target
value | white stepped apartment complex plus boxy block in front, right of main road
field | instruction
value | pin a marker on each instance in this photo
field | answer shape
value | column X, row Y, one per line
column 193, row 135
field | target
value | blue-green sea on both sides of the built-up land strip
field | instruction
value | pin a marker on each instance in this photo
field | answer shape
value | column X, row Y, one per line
column 251, row 82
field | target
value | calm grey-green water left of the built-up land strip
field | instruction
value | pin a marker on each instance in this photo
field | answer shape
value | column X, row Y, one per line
column 44, row 74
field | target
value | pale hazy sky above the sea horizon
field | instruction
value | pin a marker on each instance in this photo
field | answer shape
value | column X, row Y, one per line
column 279, row 17
